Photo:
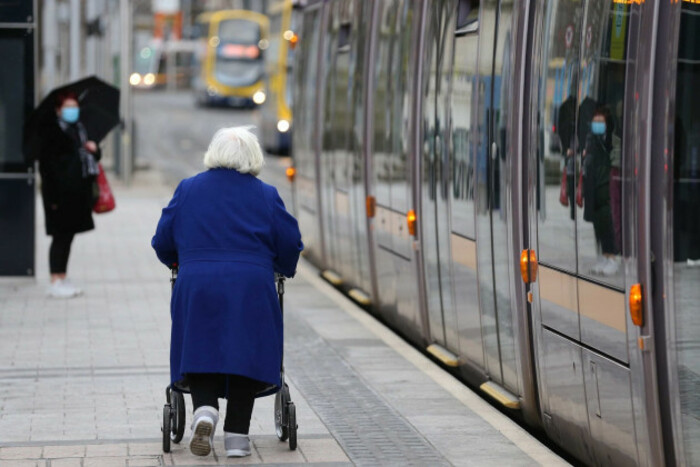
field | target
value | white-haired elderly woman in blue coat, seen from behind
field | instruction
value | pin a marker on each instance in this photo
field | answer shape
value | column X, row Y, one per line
column 228, row 232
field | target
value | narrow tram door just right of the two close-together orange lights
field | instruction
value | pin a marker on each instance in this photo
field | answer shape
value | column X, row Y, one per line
column 435, row 172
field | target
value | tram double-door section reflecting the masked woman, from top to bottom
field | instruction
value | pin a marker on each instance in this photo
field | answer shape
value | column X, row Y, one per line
column 579, row 229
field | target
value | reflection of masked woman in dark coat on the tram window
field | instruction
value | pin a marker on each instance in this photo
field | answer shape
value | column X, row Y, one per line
column 596, row 168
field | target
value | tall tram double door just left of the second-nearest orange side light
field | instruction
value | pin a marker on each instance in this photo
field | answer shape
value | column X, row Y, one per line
column 492, row 196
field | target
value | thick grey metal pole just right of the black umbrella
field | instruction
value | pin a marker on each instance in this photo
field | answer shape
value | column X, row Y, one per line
column 126, row 104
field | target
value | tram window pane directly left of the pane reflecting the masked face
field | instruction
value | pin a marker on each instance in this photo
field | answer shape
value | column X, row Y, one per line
column 556, row 117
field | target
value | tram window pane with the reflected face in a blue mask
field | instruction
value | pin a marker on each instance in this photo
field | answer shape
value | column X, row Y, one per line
column 599, row 140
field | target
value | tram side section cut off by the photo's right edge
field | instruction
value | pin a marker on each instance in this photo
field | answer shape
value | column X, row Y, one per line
column 686, row 227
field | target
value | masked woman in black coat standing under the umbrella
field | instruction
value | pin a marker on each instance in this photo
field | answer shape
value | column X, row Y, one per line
column 68, row 167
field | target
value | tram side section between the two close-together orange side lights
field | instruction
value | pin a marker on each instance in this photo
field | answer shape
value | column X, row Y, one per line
column 390, row 163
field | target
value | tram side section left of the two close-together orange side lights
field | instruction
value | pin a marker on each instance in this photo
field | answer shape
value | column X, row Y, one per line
column 341, row 164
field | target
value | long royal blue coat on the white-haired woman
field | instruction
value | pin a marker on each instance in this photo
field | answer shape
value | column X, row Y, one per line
column 228, row 232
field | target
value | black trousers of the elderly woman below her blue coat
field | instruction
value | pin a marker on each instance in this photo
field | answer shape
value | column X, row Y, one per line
column 206, row 388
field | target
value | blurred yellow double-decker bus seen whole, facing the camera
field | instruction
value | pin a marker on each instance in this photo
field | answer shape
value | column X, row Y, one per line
column 231, row 56
